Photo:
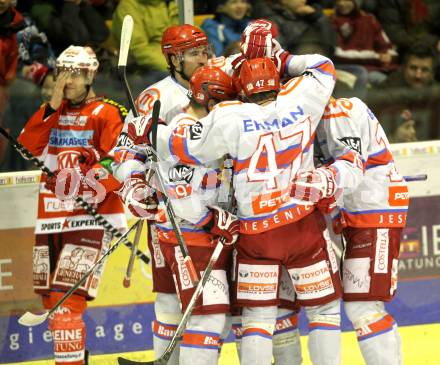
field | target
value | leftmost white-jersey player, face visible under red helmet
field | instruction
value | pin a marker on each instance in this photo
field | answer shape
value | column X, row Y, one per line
column 185, row 48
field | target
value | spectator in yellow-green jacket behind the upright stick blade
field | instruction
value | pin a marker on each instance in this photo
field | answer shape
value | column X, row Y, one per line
column 151, row 18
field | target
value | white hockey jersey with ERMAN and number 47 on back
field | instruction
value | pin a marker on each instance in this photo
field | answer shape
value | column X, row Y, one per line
column 266, row 144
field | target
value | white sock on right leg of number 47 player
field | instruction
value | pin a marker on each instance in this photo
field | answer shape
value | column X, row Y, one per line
column 324, row 340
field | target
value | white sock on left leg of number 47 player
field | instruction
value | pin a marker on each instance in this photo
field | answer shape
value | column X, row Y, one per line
column 258, row 327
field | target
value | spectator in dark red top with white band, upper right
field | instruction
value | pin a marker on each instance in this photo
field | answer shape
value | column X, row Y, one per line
column 361, row 42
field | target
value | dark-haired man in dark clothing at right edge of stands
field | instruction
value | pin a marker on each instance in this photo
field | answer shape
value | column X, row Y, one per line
column 412, row 87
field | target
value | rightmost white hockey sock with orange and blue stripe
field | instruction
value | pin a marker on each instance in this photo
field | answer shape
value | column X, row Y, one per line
column 377, row 334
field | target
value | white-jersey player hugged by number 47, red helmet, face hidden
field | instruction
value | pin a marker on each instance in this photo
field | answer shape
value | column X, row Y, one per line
column 192, row 189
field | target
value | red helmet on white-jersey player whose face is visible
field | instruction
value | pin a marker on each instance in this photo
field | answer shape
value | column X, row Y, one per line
column 178, row 38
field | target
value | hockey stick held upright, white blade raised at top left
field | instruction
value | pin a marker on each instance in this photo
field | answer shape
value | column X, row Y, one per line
column 126, row 32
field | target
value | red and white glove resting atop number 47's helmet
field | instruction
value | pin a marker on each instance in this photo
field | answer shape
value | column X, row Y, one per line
column 256, row 40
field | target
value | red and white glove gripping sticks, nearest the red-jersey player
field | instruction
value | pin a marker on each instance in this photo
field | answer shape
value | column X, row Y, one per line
column 139, row 197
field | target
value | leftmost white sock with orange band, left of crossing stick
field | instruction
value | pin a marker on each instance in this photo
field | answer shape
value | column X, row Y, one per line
column 168, row 315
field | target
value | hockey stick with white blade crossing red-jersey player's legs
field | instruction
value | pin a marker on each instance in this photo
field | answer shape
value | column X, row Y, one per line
column 30, row 319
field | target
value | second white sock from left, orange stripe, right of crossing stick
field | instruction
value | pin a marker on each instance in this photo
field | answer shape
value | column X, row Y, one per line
column 200, row 340
